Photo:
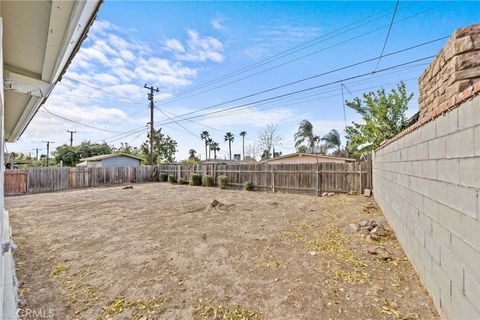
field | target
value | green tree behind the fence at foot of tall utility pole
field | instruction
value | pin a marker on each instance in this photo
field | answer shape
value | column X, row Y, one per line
column 164, row 147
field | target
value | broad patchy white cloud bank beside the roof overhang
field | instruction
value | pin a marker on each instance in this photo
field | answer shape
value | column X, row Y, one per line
column 103, row 87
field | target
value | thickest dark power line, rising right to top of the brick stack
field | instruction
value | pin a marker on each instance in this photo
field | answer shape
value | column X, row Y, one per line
column 314, row 76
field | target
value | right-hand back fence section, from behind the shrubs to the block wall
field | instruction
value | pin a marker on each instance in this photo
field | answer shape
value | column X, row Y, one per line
column 289, row 178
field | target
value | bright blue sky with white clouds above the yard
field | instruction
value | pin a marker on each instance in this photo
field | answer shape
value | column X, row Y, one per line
column 205, row 57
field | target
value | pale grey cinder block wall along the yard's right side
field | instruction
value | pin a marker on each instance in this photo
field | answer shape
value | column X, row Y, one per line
column 427, row 182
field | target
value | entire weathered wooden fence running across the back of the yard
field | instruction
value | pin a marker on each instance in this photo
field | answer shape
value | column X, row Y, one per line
column 289, row 178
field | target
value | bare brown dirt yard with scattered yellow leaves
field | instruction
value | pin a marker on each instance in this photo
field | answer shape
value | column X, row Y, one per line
column 161, row 251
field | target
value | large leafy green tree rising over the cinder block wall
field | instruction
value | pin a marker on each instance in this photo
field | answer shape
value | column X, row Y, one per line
column 383, row 115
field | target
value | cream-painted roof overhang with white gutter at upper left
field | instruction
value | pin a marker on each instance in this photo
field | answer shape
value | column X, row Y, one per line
column 40, row 38
